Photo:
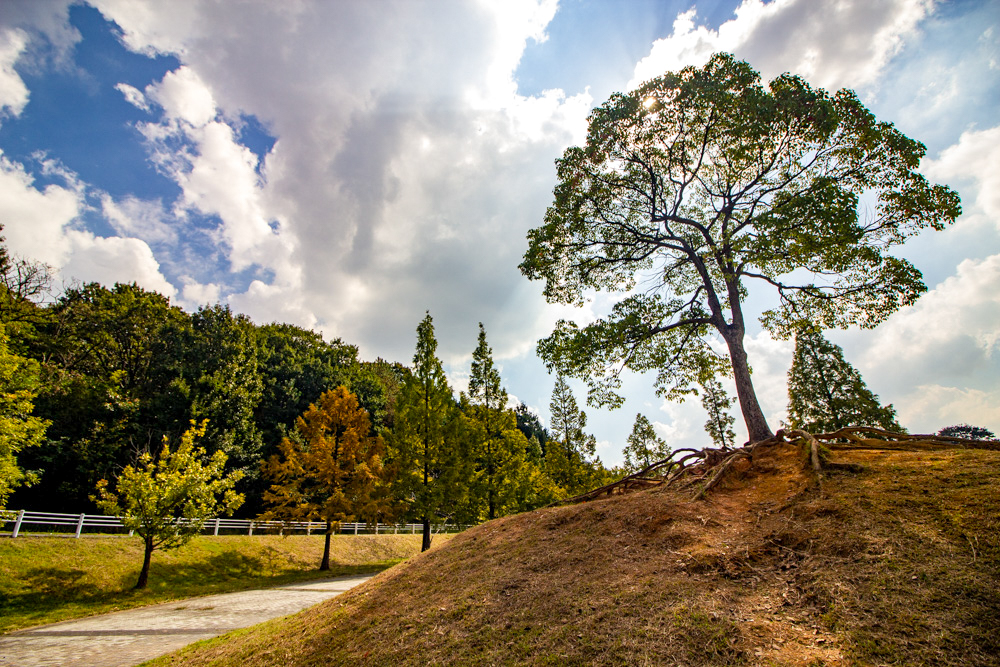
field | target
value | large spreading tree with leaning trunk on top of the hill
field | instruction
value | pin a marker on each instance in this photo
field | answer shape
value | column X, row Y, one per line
column 702, row 182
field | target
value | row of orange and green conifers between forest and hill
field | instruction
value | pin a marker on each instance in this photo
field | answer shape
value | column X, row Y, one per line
column 447, row 458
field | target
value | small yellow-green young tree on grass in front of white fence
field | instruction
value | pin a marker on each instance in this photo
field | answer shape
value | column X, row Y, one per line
column 167, row 500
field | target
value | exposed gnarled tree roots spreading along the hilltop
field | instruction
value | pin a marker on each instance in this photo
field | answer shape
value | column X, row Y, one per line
column 691, row 466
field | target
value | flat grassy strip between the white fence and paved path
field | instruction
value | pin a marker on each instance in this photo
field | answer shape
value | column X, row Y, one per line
column 47, row 579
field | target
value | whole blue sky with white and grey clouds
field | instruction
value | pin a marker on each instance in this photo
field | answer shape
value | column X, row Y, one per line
column 346, row 166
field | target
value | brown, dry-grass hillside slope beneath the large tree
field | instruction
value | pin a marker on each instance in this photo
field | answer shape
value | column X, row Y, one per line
column 895, row 560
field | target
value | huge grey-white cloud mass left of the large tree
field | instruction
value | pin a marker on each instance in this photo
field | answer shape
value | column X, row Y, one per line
column 388, row 190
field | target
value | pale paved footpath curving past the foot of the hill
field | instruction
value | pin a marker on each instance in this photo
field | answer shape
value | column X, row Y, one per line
column 125, row 638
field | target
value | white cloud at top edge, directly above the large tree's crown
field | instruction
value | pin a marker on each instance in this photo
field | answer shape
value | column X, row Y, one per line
column 832, row 44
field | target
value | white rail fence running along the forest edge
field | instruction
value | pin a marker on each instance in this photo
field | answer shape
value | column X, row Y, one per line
column 24, row 521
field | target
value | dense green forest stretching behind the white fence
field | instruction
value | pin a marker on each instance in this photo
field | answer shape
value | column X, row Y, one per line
column 114, row 372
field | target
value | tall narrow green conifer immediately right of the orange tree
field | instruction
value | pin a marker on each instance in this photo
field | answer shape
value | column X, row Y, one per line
column 430, row 439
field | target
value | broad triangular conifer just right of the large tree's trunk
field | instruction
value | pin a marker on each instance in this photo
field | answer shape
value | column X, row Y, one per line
column 826, row 393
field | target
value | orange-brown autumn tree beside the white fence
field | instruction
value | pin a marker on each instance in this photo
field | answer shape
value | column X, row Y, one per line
column 330, row 470
